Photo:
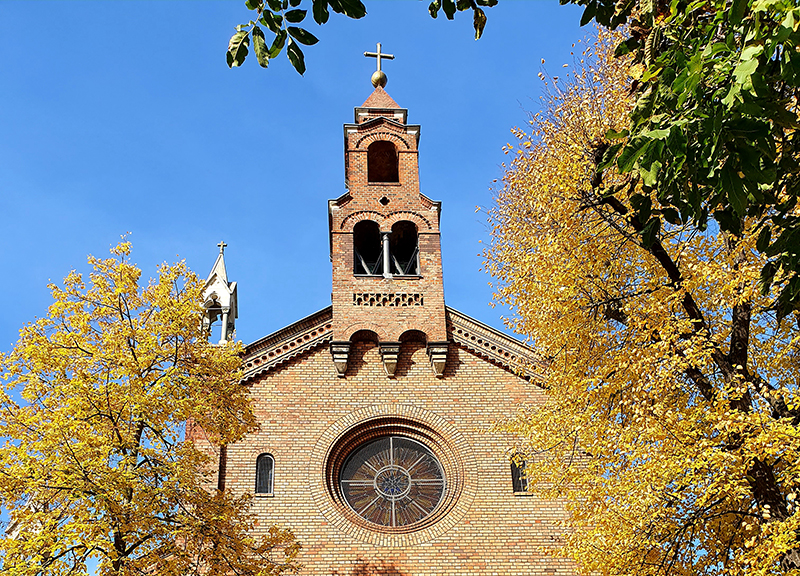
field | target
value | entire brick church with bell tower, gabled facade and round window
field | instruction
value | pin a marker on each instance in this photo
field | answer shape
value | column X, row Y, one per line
column 374, row 412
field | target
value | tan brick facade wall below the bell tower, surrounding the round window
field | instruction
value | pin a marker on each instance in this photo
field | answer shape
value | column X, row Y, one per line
column 303, row 407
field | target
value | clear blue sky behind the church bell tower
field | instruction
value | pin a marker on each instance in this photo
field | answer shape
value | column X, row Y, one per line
column 123, row 117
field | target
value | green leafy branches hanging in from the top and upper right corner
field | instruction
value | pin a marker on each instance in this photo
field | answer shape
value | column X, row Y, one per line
column 713, row 131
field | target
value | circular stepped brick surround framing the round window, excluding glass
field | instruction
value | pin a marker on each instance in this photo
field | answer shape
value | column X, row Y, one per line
column 441, row 437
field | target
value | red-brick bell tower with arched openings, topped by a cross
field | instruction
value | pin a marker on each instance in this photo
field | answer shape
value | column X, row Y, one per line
column 384, row 238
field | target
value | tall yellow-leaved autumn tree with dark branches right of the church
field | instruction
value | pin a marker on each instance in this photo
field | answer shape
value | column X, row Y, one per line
column 671, row 426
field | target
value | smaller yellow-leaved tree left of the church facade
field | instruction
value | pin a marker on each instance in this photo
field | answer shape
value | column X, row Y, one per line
column 94, row 463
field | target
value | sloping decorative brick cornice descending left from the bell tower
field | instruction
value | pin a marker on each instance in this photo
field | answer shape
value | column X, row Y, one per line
column 287, row 343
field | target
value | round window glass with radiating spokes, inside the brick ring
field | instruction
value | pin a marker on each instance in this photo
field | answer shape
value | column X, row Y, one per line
column 392, row 481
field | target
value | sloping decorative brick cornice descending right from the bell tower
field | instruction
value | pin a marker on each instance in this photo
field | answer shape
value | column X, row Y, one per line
column 495, row 346
